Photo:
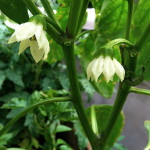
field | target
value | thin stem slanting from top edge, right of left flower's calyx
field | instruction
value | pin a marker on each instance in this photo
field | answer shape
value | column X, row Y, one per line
column 49, row 10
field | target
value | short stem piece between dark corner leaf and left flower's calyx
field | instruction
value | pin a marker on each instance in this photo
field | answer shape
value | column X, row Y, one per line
column 32, row 7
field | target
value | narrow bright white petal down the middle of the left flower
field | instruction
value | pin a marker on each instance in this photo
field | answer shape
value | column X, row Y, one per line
column 39, row 35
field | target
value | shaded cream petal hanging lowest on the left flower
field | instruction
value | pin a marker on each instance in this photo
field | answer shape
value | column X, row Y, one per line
column 36, row 53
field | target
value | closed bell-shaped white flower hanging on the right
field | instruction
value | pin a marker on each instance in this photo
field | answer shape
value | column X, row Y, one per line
column 107, row 66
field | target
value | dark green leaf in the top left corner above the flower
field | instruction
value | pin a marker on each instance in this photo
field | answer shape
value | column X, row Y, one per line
column 15, row 10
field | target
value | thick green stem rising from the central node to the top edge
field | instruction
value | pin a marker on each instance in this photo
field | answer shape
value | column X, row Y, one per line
column 74, row 15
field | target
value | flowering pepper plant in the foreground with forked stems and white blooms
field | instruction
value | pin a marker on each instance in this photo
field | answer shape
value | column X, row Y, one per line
column 118, row 45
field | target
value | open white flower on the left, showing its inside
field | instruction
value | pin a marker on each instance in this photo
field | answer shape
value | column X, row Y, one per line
column 33, row 35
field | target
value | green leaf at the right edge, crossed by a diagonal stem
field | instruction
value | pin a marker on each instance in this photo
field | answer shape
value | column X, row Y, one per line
column 140, row 20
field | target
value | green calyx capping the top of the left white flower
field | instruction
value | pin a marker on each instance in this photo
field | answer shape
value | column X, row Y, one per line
column 38, row 19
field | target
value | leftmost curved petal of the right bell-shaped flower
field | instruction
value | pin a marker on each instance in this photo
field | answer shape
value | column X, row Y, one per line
column 89, row 70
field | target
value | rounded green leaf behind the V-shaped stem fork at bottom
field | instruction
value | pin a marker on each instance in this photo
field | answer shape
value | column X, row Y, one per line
column 101, row 115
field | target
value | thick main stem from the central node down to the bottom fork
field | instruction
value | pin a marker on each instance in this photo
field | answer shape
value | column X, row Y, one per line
column 76, row 96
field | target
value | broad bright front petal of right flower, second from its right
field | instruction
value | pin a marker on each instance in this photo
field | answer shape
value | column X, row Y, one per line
column 108, row 68
